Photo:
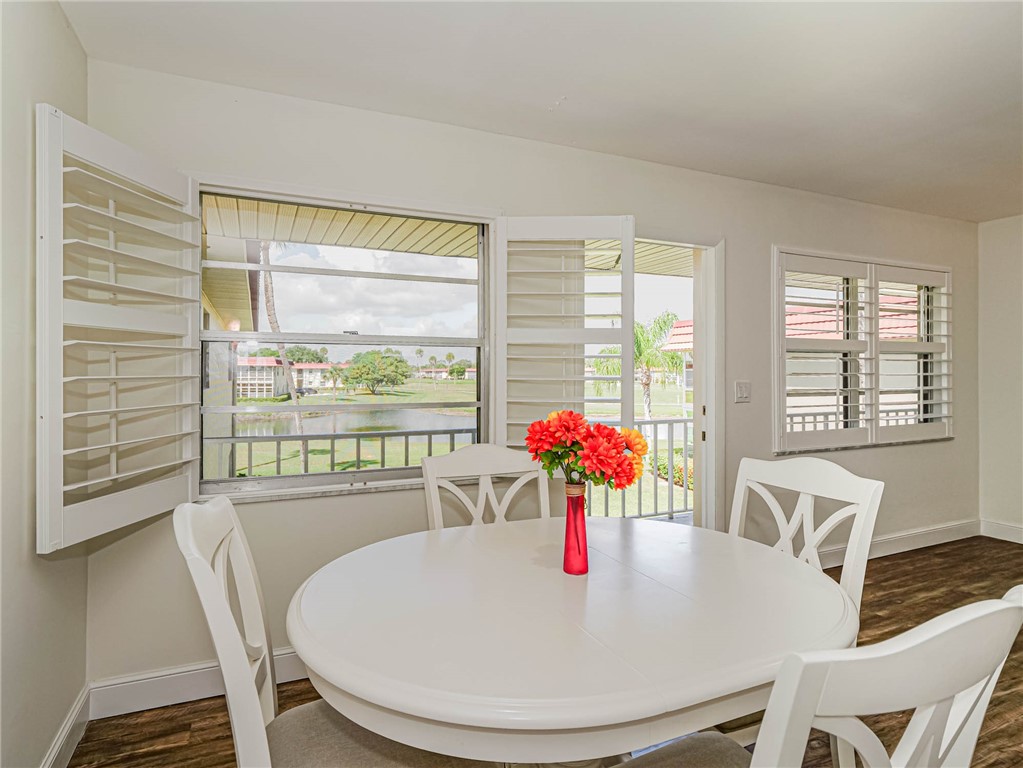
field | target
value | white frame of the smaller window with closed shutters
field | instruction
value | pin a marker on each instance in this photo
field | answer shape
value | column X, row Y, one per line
column 874, row 434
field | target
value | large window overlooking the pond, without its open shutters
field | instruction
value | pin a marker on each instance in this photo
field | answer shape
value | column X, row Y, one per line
column 343, row 346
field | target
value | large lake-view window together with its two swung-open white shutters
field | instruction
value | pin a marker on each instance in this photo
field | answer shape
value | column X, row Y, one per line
column 262, row 345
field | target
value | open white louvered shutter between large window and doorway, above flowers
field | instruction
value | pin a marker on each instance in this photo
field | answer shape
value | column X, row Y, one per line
column 565, row 321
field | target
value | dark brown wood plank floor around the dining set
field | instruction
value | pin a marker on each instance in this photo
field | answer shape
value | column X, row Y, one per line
column 902, row 592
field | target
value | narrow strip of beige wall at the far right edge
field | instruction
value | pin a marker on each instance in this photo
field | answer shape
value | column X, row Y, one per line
column 1001, row 366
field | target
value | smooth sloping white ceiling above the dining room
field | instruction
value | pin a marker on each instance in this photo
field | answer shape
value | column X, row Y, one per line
column 915, row 106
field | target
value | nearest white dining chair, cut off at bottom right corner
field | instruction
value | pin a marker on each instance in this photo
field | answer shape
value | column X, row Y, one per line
column 946, row 670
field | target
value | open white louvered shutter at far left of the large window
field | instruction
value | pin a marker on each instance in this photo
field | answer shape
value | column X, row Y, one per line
column 118, row 321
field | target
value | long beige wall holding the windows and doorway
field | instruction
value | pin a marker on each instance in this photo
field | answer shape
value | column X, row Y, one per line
column 143, row 612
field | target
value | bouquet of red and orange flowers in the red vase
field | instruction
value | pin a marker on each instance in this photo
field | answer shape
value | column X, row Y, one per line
column 586, row 453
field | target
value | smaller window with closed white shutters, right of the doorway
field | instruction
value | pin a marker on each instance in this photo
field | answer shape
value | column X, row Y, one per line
column 864, row 353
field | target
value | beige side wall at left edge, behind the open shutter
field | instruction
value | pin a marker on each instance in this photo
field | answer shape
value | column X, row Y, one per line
column 42, row 601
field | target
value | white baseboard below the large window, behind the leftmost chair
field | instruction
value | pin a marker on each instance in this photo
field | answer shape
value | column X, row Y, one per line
column 174, row 686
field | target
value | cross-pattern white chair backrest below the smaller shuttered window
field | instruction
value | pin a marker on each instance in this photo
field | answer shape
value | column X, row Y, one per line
column 813, row 479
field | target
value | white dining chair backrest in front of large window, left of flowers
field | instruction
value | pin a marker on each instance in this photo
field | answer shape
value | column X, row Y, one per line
column 481, row 464
